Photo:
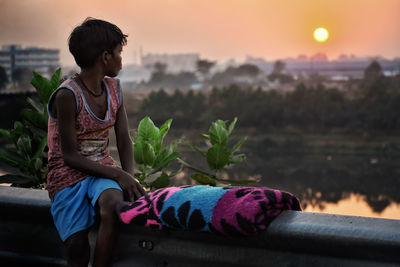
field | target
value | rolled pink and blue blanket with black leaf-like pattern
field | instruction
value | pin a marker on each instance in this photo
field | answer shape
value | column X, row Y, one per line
column 228, row 211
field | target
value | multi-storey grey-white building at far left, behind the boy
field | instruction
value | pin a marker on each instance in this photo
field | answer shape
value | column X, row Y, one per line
column 41, row 60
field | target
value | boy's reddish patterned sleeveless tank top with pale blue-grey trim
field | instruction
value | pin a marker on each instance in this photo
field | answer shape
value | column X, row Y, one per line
column 92, row 135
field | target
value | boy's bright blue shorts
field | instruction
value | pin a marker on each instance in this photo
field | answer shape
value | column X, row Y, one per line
column 73, row 208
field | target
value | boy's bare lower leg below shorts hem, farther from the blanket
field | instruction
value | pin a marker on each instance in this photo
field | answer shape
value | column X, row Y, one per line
column 78, row 249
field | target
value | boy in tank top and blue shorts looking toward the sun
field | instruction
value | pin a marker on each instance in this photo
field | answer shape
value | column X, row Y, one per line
column 82, row 176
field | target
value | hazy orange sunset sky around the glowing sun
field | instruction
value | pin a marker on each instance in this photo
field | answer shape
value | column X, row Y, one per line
column 216, row 29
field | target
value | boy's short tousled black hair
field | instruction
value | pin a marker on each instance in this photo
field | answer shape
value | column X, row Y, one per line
column 93, row 37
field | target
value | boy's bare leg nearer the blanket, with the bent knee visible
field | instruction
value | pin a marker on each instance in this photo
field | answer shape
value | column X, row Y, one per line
column 108, row 230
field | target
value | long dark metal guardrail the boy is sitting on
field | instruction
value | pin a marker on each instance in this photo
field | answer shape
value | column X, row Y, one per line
column 28, row 238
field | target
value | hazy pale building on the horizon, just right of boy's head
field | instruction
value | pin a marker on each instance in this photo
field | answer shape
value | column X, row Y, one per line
column 175, row 62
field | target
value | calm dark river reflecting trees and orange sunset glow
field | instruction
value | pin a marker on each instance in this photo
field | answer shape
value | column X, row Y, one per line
column 341, row 176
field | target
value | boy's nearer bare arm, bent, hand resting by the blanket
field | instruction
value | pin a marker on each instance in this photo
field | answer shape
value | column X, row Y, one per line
column 65, row 110
